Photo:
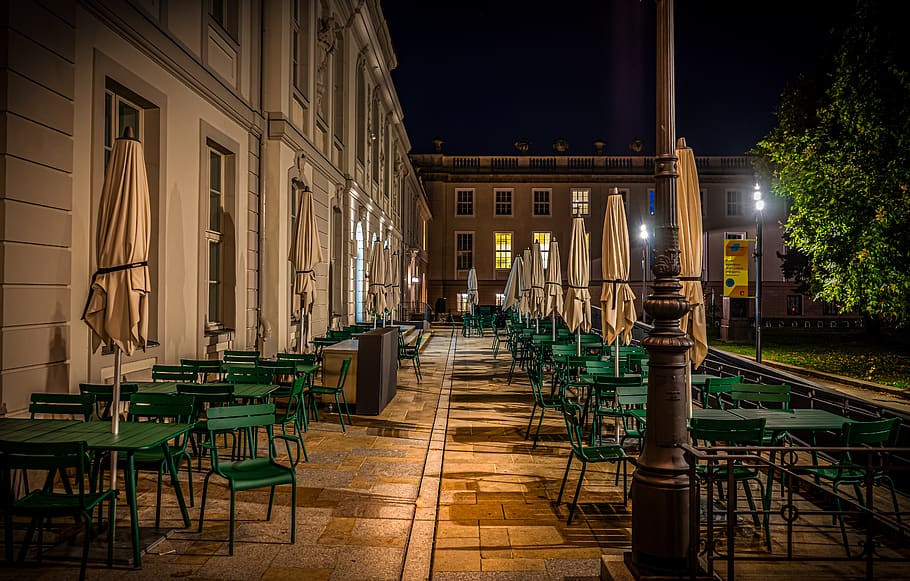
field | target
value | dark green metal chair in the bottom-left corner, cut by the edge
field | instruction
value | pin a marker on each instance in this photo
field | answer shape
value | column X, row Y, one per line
column 47, row 503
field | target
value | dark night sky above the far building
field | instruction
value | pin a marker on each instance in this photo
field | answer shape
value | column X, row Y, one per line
column 481, row 73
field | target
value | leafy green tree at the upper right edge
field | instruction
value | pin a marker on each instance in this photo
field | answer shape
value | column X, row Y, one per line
column 840, row 155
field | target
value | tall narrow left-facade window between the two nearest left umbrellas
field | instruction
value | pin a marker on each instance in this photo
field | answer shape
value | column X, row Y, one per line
column 213, row 235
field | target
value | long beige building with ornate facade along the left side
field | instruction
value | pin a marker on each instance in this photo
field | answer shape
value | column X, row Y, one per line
column 239, row 104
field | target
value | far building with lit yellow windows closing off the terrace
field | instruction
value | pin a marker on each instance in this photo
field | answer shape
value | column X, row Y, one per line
column 487, row 209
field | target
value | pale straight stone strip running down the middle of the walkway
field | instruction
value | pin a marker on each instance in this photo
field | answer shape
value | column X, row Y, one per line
column 419, row 554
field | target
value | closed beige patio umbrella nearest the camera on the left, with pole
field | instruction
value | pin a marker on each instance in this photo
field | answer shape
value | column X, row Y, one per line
column 117, row 306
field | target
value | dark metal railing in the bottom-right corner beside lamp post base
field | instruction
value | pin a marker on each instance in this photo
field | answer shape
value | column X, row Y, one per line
column 802, row 518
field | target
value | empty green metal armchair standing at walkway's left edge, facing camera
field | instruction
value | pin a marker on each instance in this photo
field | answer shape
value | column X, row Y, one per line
column 248, row 473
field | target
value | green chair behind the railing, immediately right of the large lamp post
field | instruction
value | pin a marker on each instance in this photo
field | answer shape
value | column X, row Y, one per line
column 710, row 431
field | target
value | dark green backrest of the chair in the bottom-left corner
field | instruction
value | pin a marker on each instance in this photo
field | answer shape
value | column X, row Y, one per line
column 62, row 456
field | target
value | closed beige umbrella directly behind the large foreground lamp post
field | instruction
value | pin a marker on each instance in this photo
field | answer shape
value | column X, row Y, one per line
column 688, row 204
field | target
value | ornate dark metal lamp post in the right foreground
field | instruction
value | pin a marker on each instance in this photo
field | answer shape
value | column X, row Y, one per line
column 660, row 486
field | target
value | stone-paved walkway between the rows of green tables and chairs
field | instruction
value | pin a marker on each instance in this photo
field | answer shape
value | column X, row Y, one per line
column 442, row 485
